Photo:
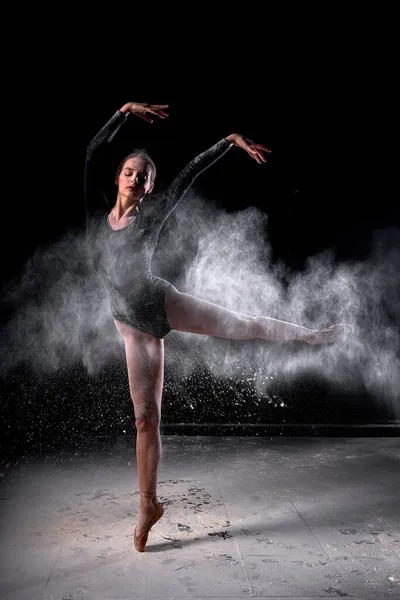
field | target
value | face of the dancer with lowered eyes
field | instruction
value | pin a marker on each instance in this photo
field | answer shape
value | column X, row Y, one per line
column 134, row 181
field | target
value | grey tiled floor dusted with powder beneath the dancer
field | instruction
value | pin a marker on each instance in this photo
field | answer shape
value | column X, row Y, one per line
column 245, row 517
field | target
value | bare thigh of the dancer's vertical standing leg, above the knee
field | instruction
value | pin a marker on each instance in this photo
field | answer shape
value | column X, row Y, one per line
column 145, row 362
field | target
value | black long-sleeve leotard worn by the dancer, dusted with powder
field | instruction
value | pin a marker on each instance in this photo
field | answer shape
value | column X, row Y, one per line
column 122, row 258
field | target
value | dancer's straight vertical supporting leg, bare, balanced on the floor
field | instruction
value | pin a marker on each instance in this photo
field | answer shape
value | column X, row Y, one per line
column 145, row 362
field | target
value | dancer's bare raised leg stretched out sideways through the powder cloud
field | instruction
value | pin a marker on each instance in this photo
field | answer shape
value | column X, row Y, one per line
column 190, row 314
